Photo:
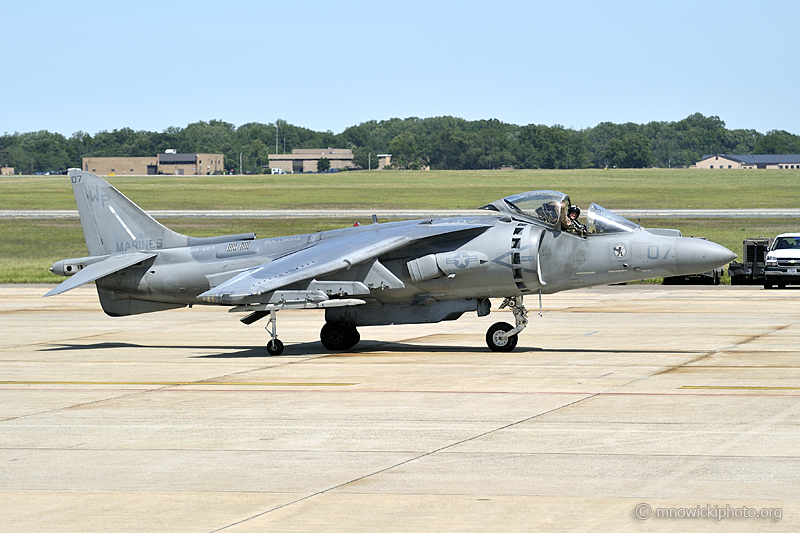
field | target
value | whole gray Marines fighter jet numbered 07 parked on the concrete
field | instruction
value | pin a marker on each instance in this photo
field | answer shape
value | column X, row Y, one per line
column 409, row 272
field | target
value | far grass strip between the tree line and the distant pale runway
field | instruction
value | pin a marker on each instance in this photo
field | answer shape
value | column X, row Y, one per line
column 614, row 189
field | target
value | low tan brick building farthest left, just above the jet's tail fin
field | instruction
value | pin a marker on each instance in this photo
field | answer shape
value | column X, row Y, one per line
column 166, row 163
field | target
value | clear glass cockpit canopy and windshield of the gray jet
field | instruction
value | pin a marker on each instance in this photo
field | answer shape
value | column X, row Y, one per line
column 550, row 209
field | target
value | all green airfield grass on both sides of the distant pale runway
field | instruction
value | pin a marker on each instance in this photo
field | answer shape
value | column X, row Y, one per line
column 28, row 247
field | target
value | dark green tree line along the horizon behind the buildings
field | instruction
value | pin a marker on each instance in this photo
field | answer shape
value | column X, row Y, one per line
column 446, row 143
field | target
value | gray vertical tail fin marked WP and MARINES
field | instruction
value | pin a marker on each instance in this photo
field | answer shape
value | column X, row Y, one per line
column 112, row 223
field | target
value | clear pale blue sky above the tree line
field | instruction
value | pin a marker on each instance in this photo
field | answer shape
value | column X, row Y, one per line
column 147, row 65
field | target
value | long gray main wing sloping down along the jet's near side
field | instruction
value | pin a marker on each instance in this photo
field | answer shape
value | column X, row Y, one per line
column 327, row 256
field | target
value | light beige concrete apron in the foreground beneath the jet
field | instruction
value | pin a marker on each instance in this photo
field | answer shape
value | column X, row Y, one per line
column 618, row 400
